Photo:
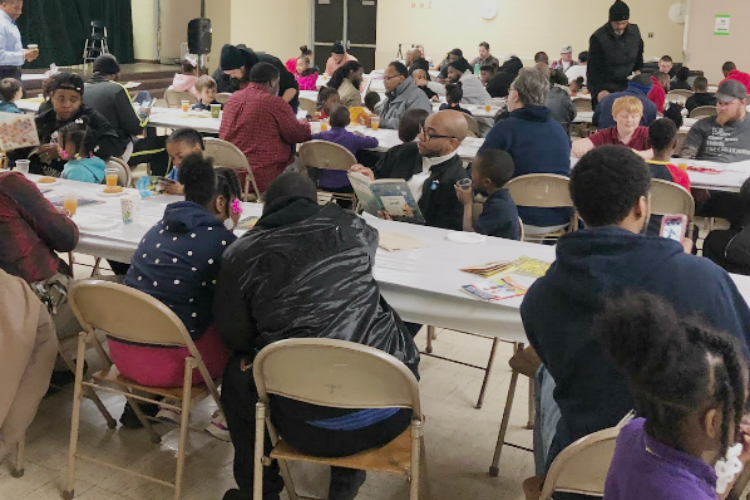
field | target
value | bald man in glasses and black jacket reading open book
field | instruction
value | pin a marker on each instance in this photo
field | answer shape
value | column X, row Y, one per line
column 431, row 167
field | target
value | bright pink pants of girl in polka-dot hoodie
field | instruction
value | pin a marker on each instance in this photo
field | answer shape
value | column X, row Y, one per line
column 165, row 366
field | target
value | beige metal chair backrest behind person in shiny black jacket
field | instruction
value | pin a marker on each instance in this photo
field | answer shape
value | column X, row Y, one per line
column 335, row 373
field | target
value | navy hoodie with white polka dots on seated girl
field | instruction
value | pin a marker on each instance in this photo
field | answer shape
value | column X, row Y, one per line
column 178, row 261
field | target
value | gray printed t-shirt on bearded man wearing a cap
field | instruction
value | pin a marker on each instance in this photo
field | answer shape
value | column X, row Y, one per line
column 709, row 141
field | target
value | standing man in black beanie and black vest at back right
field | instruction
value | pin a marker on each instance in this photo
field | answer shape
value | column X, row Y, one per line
column 615, row 52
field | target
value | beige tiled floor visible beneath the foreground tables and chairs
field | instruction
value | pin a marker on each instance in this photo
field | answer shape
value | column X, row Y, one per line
column 460, row 442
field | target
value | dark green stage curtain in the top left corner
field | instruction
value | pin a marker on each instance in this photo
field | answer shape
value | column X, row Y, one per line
column 60, row 28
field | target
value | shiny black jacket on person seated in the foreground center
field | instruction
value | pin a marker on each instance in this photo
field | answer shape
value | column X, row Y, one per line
column 306, row 272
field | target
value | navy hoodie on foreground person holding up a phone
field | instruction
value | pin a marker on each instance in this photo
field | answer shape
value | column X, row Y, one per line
column 591, row 265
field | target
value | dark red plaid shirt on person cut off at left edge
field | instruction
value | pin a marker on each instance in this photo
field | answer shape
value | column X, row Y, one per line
column 31, row 231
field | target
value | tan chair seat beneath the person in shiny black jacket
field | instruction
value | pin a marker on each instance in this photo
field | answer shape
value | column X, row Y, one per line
column 393, row 458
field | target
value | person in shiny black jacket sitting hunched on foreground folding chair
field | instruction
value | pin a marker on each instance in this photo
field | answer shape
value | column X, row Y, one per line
column 304, row 271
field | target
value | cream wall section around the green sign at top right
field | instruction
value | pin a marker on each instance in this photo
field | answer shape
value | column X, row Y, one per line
column 707, row 51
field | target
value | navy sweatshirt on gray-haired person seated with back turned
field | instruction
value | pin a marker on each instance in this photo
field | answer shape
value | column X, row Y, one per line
column 538, row 145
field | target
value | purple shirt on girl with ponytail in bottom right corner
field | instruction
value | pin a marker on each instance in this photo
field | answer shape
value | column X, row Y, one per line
column 646, row 469
